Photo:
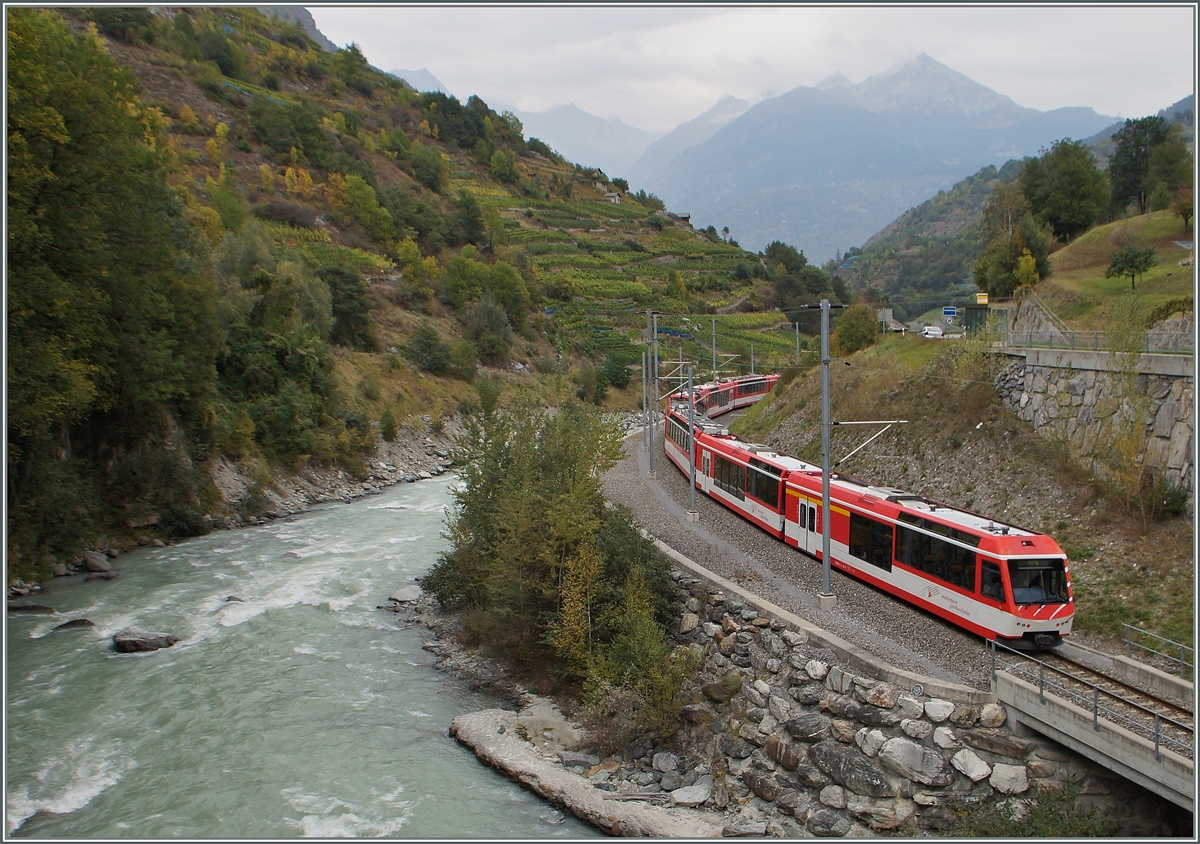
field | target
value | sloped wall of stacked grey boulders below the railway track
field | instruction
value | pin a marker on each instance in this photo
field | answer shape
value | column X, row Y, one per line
column 788, row 737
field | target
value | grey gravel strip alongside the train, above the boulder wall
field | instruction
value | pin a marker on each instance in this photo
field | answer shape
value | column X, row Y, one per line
column 723, row 542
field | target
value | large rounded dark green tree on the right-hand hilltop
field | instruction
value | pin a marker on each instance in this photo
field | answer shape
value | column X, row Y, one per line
column 1066, row 189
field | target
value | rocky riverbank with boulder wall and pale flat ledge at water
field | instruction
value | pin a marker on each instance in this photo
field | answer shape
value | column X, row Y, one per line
column 778, row 740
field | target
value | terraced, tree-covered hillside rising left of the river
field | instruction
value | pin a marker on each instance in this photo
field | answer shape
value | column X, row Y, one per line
column 356, row 255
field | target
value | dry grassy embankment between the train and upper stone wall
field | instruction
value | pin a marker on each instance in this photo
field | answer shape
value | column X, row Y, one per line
column 962, row 447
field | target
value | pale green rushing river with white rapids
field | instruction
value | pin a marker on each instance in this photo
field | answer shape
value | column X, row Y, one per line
column 302, row 713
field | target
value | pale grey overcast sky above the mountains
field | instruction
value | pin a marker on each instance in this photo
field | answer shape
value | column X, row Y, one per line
column 656, row 68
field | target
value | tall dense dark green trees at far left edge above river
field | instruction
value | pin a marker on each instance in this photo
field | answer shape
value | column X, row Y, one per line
column 111, row 324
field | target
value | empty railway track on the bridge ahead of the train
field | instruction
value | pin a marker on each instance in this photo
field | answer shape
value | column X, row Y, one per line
column 1167, row 725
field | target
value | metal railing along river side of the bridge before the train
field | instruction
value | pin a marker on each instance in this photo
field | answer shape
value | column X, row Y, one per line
column 1093, row 703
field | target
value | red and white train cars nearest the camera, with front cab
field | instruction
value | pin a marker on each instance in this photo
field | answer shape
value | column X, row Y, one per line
column 995, row 580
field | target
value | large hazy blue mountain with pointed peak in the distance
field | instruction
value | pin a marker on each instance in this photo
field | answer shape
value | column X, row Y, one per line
column 826, row 167
